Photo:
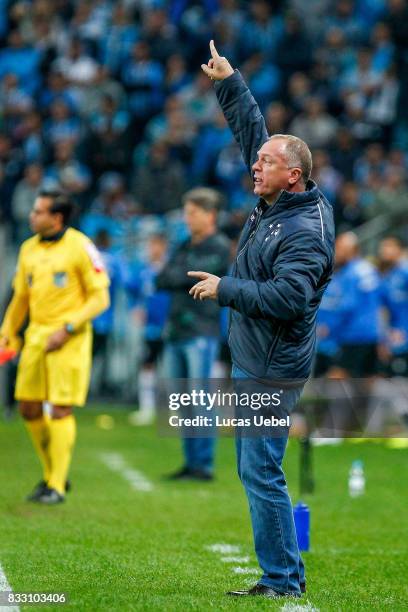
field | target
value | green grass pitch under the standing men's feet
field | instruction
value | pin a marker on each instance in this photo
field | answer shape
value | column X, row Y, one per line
column 111, row 547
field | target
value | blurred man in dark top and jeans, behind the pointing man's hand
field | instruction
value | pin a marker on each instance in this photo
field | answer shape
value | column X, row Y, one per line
column 192, row 334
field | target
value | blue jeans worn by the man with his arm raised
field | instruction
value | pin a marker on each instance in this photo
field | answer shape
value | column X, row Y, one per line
column 259, row 461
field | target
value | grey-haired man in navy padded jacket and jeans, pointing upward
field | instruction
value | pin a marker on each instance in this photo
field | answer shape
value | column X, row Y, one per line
column 283, row 265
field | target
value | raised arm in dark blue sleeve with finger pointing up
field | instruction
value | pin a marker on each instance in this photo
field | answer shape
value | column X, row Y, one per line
column 238, row 105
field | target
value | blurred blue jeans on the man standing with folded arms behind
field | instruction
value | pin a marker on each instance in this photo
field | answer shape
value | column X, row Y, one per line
column 193, row 359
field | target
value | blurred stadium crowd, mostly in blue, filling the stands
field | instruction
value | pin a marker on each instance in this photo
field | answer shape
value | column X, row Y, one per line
column 106, row 100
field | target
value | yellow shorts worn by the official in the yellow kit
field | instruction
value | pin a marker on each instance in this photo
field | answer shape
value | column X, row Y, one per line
column 60, row 377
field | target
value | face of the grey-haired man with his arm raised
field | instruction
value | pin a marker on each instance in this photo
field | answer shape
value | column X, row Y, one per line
column 271, row 172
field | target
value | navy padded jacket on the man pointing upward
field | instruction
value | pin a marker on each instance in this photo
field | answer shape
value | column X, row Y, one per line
column 283, row 265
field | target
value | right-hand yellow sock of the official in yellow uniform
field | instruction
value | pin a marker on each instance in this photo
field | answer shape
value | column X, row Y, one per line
column 62, row 439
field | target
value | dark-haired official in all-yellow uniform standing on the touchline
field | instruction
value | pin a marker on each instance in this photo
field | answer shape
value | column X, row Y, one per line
column 61, row 284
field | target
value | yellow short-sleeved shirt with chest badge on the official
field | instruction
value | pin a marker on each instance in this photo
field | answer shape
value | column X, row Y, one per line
column 58, row 277
